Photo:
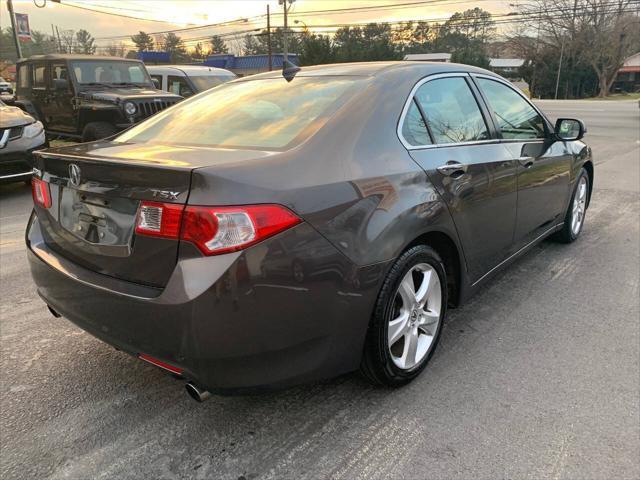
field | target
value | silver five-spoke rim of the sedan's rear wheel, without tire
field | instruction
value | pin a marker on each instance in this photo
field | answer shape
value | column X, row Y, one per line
column 415, row 316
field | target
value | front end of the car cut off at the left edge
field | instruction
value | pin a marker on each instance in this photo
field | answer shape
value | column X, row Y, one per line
column 20, row 136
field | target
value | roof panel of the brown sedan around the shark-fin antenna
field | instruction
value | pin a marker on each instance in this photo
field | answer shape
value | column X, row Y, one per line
column 378, row 68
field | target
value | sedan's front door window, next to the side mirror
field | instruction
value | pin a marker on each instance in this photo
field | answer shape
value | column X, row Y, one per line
column 516, row 118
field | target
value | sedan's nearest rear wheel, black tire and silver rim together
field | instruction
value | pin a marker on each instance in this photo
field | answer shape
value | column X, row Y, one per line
column 407, row 320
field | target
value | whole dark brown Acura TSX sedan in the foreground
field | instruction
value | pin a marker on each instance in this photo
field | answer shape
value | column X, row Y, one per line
column 267, row 232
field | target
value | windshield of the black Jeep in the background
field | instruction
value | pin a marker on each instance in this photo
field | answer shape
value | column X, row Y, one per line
column 110, row 73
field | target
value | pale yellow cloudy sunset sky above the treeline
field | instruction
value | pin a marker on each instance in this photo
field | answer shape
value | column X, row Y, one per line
column 159, row 15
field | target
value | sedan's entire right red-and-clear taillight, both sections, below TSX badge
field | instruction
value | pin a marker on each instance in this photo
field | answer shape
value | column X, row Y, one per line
column 214, row 230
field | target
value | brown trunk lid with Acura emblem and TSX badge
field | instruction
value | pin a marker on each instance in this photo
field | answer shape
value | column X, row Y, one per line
column 95, row 199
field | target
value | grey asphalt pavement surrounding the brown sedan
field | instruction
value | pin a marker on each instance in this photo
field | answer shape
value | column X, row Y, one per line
column 536, row 377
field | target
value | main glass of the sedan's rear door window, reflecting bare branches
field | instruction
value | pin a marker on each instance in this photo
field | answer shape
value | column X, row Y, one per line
column 452, row 112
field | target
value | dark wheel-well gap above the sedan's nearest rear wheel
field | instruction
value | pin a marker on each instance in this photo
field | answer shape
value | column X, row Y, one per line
column 452, row 257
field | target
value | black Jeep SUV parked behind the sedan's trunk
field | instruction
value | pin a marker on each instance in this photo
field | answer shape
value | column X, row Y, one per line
column 87, row 97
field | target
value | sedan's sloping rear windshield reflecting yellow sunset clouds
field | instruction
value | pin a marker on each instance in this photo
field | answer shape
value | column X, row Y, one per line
column 260, row 114
